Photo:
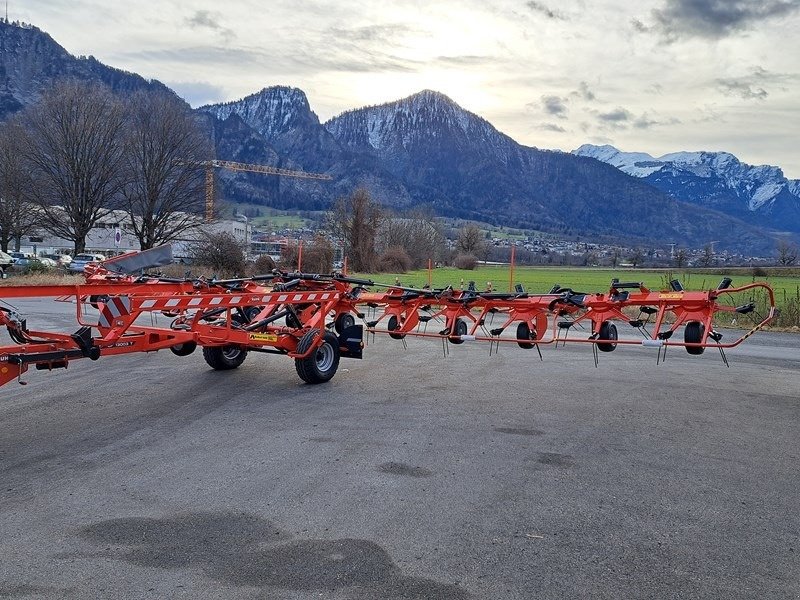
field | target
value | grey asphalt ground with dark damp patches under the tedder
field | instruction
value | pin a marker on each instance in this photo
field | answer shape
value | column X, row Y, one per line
column 410, row 475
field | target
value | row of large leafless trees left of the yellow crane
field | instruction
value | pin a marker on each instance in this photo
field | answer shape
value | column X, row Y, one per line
column 81, row 152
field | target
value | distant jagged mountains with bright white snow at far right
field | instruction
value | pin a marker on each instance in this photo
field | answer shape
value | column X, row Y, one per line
column 760, row 194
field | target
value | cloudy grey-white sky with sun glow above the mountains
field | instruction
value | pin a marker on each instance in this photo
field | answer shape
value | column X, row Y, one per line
column 664, row 76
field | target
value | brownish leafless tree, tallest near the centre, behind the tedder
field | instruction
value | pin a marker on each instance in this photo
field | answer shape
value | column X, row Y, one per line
column 355, row 220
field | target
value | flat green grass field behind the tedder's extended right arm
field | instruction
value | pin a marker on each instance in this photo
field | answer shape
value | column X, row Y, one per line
column 539, row 280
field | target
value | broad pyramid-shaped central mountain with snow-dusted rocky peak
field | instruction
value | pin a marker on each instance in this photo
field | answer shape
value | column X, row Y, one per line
column 457, row 162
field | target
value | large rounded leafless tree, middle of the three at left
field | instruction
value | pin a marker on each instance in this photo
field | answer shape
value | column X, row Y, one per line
column 74, row 148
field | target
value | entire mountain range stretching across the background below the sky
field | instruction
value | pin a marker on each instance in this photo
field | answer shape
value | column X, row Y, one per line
column 425, row 150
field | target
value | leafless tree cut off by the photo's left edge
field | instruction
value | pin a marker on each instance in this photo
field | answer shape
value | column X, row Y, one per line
column 18, row 217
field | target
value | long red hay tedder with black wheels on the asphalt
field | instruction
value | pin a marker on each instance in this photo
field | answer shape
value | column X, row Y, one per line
column 312, row 318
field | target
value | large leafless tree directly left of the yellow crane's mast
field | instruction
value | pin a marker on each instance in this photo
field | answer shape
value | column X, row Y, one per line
column 164, row 195
